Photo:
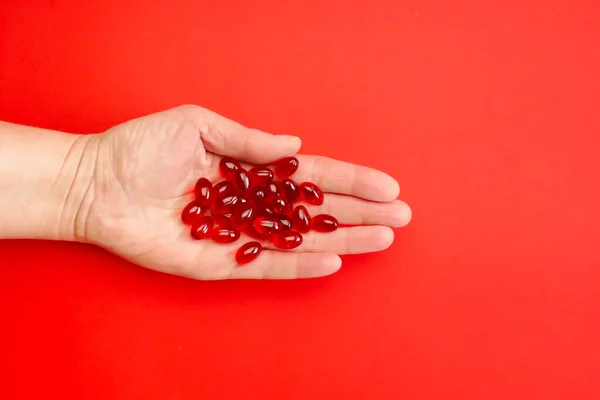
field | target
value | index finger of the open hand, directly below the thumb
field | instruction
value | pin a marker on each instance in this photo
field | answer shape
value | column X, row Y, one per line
column 345, row 178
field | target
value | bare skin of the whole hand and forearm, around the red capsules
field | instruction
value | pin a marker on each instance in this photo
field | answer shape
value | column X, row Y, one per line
column 124, row 190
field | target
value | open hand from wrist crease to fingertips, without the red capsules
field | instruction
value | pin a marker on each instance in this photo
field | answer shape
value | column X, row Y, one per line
column 144, row 173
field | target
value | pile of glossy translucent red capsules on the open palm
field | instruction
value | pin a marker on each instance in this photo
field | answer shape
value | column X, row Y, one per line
column 260, row 202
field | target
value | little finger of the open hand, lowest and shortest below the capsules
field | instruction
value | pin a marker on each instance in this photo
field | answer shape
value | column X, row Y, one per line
column 287, row 265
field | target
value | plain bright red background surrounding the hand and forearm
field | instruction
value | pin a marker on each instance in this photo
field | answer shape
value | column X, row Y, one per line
column 486, row 112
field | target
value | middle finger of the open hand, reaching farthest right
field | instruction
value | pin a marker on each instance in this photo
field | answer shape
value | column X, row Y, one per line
column 353, row 211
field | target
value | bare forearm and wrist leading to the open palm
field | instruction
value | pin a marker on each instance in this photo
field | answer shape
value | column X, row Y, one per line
column 44, row 176
